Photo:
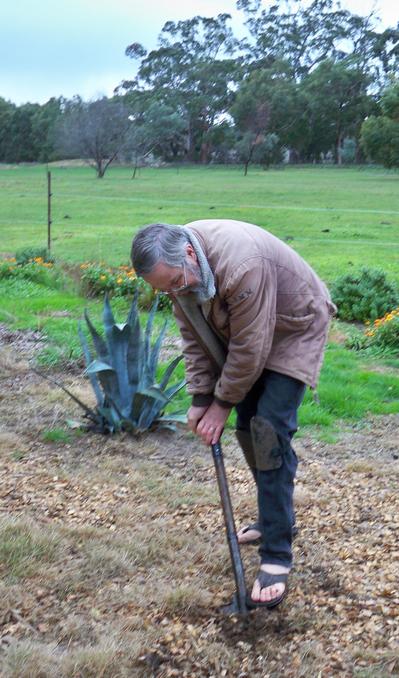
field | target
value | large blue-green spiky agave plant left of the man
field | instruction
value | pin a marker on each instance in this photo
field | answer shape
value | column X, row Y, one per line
column 123, row 375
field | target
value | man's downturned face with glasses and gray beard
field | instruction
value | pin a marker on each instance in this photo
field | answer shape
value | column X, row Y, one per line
column 175, row 280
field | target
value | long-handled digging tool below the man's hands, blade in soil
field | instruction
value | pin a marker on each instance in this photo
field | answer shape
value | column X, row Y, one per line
column 238, row 604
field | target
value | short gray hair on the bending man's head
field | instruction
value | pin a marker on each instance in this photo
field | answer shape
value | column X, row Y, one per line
column 158, row 243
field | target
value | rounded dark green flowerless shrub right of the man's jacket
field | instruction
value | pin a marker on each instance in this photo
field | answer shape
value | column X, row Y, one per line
column 365, row 295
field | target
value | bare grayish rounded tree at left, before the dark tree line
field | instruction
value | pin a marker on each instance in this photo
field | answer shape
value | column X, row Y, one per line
column 95, row 130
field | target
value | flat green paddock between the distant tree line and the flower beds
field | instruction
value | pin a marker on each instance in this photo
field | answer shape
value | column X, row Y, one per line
column 338, row 219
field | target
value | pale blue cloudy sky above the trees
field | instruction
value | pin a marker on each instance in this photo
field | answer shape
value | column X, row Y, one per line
column 66, row 47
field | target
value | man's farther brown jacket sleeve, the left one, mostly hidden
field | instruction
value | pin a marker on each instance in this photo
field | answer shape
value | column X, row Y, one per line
column 200, row 373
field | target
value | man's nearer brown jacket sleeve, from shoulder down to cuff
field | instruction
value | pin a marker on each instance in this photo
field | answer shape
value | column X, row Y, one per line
column 250, row 295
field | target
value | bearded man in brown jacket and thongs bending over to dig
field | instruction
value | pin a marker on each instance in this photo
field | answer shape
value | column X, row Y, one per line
column 254, row 320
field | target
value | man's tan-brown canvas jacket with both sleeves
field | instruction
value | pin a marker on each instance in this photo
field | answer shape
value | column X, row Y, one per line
column 271, row 310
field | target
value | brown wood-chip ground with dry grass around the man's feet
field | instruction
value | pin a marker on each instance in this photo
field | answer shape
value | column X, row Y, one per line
column 114, row 562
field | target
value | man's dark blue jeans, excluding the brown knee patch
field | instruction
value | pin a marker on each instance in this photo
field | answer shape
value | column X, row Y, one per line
column 276, row 397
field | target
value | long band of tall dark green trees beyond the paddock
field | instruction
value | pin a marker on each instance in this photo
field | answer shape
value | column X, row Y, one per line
column 309, row 79
